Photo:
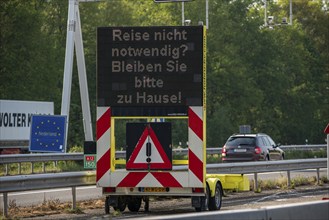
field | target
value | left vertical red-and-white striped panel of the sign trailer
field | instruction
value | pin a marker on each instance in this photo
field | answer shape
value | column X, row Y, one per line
column 103, row 135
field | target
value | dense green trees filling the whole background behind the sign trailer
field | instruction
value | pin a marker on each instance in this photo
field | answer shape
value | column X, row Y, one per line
column 274, row 79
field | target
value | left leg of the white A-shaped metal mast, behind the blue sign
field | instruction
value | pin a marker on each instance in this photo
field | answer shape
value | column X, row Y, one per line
column 68, row 66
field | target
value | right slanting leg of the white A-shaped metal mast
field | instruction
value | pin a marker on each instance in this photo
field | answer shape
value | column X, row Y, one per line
column 87, row 123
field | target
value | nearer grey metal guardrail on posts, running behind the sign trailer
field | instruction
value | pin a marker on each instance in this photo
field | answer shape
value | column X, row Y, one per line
column 86, row 178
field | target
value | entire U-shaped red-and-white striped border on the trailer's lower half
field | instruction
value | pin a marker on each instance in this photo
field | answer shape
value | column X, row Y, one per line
column 193, row 178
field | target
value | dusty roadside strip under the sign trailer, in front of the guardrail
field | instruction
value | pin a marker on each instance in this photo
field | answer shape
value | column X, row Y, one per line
column 233, row 201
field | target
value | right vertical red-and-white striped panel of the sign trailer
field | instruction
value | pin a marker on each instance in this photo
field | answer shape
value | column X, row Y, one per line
column 195, row 153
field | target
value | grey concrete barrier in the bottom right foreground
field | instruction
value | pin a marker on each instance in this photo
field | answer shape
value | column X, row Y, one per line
column 318, row 210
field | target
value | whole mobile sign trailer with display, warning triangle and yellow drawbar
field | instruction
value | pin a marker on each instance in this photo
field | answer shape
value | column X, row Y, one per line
column 145, row 73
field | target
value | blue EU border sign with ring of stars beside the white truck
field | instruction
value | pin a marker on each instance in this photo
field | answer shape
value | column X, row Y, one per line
column 48, row 133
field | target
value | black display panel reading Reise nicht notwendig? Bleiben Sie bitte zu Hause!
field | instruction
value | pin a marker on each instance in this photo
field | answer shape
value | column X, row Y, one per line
column 150, row 71
